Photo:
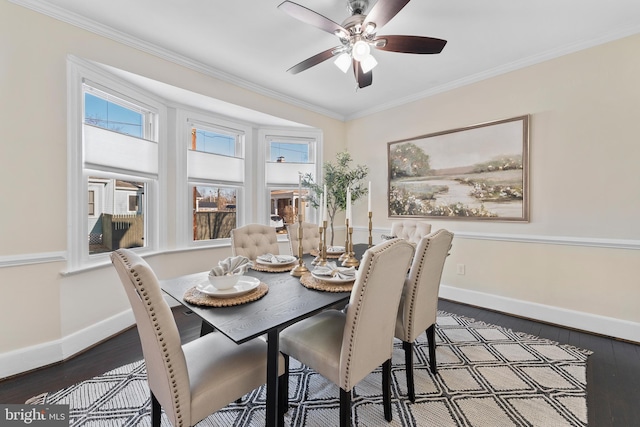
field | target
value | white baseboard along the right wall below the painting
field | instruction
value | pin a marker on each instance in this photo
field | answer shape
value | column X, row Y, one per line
column 588, row 322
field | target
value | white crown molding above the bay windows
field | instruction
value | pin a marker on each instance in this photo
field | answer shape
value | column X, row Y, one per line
column 166, row 54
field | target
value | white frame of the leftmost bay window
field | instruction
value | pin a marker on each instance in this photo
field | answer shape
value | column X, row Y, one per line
column 80, row 71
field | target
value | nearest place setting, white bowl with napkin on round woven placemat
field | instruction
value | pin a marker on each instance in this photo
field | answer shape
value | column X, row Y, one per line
column 226, row 285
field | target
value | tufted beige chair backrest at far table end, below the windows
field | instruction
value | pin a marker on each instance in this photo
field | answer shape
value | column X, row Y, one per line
column 254, row 240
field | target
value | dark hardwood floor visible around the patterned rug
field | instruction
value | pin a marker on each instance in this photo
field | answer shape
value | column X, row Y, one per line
column 613, row 370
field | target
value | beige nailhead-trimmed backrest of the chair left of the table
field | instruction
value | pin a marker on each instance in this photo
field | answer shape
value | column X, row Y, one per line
column 167, row 373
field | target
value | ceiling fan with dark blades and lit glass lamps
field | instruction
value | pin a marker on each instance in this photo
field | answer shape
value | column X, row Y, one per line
column 358, row 34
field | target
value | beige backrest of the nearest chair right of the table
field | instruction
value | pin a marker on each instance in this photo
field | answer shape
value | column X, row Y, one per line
column 373, row 306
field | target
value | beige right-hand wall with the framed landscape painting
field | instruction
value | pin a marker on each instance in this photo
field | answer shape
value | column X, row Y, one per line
column 579, row 253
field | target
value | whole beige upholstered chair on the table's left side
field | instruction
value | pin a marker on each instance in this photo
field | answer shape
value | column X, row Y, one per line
column 194, row 380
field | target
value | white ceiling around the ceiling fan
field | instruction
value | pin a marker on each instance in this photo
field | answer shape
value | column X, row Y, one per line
column 252, row 43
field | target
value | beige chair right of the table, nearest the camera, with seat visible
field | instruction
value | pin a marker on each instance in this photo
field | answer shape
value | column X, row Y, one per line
column 345, row 346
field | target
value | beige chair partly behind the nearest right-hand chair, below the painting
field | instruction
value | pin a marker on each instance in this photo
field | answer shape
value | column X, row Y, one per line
column 419, row 302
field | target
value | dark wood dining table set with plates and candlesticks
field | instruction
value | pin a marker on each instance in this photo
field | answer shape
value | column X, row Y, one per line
column 286, row 302
